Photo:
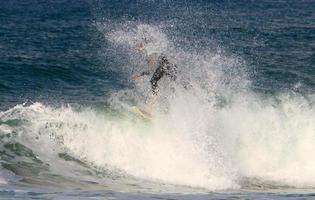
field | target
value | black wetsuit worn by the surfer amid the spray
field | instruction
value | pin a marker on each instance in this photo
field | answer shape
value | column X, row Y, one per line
column 164, row 68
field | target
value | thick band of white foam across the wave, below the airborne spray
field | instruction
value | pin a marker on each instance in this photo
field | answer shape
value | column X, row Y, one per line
column 191, row 145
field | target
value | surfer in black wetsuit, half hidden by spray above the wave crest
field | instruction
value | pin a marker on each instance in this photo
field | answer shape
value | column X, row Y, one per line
column 159, row 66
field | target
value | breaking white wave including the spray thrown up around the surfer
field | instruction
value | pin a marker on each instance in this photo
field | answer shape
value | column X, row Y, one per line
column 214, row 134
